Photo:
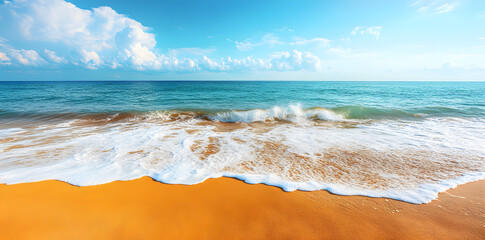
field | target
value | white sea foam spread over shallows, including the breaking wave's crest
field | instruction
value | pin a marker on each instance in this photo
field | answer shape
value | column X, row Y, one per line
column 406, row 160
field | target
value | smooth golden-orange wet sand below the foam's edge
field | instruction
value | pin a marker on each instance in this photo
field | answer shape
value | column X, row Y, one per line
column 226, row 208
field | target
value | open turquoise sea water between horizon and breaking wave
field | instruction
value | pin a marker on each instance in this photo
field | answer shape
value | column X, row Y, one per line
column 360, row 99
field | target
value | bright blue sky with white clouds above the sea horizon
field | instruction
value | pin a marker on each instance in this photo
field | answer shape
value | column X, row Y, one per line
column 242, row 40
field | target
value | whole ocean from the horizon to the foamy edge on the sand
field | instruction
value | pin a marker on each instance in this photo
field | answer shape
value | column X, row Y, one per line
column 402, row 140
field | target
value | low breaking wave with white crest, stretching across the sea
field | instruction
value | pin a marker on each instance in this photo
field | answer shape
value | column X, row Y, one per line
column 292, row 113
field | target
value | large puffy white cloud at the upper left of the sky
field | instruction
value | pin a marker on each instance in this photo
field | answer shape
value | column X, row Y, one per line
column 98, row 36
